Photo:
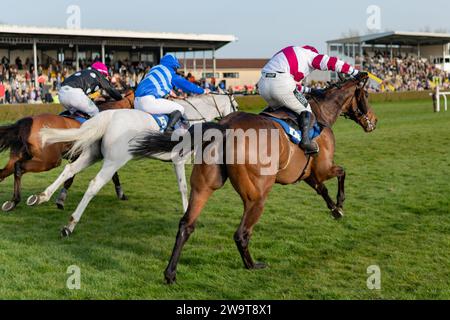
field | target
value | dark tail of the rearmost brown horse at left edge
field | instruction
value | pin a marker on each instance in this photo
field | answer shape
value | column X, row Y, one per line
column 15, row 136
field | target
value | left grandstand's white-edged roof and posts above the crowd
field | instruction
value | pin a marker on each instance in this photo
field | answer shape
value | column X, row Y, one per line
column 39, row 45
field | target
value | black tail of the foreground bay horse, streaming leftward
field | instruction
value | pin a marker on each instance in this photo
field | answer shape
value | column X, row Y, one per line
column 155, row 143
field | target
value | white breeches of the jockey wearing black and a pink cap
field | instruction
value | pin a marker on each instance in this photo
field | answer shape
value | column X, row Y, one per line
column 75, row 99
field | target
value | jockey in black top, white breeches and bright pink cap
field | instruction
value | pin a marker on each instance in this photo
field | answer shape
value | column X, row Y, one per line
column 74, row 91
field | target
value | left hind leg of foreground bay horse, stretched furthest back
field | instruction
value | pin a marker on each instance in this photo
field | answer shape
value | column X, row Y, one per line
column 205, row 179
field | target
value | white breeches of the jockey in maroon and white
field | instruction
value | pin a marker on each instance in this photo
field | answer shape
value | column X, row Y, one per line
column 279, row 92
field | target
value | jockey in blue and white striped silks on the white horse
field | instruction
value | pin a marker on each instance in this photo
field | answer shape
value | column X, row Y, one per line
column 157, row 84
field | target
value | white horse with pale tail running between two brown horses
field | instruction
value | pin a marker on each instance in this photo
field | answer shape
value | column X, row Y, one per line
column 111, row 134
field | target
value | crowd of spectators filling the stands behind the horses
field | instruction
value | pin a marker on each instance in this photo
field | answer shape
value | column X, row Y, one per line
column 403, row 73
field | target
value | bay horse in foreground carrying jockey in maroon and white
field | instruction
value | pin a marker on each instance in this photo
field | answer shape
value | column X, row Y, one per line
column 348, row 98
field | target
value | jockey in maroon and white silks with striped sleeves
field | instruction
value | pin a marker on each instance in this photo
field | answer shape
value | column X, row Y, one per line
column 281, row 78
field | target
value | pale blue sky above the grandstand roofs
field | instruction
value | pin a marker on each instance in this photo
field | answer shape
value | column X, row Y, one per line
column 262, row 27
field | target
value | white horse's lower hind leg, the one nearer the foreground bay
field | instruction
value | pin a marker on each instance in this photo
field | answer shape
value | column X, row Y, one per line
column 102, row 178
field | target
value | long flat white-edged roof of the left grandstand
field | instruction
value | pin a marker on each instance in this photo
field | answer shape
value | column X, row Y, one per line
column 22, row 35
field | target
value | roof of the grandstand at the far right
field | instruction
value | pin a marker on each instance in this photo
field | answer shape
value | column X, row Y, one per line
column 398, row 38
